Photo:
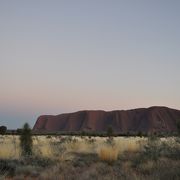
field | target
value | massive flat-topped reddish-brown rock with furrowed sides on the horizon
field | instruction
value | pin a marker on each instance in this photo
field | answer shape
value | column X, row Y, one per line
column 153, row 119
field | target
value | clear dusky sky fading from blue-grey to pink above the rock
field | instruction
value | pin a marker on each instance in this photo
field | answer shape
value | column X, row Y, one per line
column 64, row 56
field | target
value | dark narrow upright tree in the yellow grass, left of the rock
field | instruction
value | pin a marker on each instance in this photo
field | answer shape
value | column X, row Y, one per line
column 26, row 142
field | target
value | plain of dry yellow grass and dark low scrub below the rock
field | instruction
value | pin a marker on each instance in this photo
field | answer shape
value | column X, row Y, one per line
column 73, row 157
